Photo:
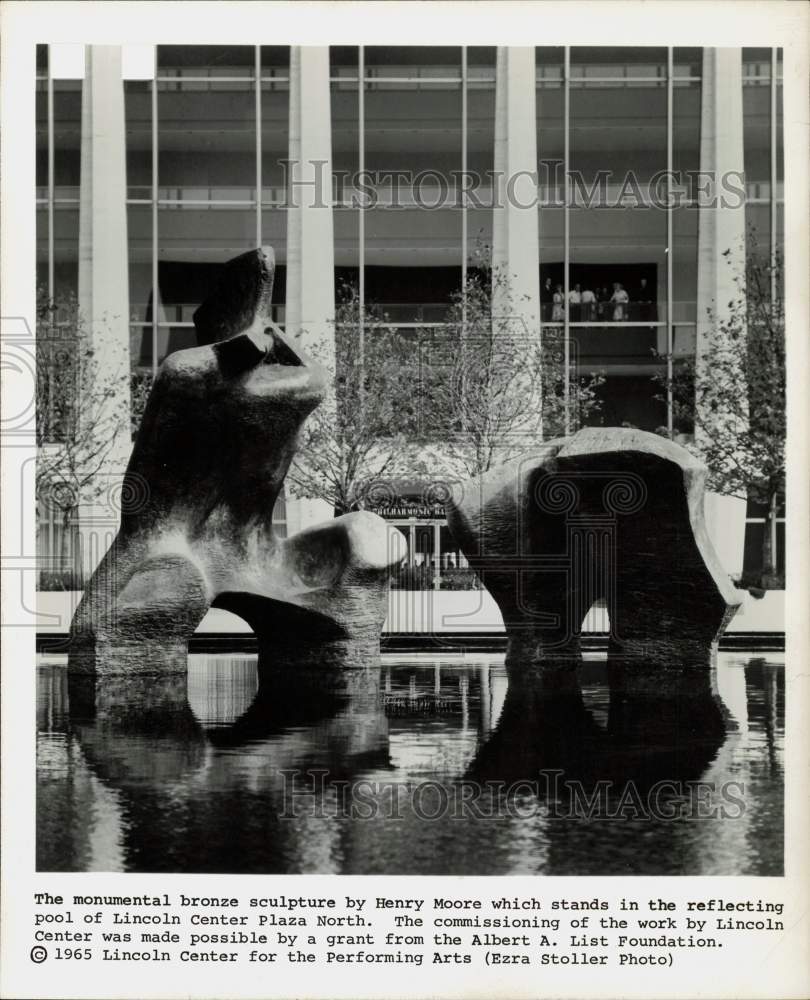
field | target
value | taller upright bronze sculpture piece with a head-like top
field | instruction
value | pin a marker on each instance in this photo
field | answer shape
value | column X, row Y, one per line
column 217, row 437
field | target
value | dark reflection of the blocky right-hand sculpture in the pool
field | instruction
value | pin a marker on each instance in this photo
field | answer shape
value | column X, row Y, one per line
column 646, row 736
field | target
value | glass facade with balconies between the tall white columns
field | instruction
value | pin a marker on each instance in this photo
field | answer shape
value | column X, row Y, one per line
column 413, row 152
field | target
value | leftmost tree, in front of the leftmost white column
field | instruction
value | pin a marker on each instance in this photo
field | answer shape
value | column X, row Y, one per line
column 78, row 420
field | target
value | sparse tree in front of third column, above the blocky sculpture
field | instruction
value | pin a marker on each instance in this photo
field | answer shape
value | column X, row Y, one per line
column 496, row 388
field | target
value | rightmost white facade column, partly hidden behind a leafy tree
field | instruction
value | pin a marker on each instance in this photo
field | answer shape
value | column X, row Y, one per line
column 721, row 264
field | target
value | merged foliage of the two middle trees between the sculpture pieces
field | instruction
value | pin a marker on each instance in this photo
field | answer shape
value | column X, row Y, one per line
column 452, row 400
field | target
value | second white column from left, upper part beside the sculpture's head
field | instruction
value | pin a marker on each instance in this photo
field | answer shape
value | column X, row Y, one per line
column 310, row 305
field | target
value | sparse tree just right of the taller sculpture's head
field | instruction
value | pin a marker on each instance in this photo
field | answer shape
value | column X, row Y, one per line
column 360, row 432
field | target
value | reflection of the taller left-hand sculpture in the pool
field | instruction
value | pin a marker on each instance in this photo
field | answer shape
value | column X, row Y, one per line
column 143, row 740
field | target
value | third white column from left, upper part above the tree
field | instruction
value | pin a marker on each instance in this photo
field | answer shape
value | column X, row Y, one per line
column 515, row 232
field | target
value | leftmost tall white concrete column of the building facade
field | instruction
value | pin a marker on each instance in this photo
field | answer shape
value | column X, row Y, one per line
column 104, row 284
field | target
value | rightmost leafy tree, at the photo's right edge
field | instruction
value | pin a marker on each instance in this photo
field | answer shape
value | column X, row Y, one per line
column 732, row 396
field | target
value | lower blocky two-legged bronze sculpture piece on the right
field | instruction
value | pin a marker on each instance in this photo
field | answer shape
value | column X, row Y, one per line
column 610, row 513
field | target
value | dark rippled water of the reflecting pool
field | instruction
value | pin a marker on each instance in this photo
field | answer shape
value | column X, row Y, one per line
column 423, row 766
